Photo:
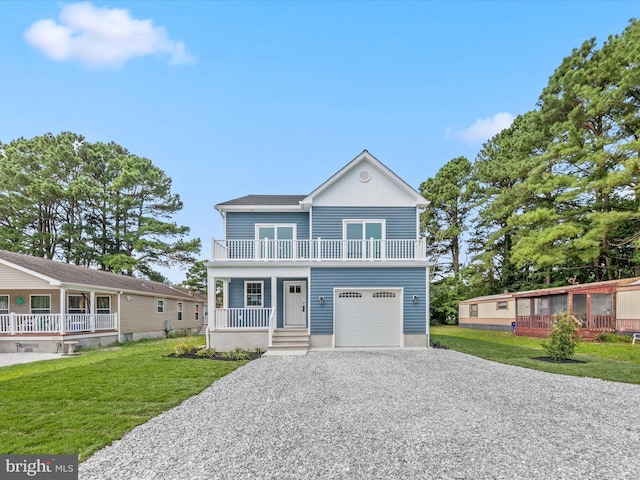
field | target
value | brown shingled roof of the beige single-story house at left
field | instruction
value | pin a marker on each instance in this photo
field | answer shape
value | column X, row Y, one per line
column 64, row 274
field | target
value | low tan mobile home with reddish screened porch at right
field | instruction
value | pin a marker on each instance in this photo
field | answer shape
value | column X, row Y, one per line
column 601, row 307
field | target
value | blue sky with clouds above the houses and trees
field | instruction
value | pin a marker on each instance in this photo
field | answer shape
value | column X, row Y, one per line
column 235, row 98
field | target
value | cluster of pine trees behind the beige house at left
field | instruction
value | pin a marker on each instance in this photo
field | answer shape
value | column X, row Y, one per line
column 90, row 204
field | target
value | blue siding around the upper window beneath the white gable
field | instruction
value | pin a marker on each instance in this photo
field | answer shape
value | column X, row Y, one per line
column 400, row 221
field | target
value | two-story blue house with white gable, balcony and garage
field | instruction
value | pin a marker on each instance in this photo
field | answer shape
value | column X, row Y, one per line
column 343, row 266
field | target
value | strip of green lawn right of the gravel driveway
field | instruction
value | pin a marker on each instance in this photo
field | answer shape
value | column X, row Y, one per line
column 618, row 362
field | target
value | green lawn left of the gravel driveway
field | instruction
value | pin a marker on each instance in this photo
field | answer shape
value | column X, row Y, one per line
column 77, row 405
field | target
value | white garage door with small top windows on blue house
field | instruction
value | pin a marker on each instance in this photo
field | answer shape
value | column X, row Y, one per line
column 368, row 318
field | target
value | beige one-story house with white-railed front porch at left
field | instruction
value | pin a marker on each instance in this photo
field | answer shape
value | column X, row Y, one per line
column 44, row 303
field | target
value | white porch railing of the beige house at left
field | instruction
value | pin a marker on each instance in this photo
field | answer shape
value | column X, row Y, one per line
column 27, row 323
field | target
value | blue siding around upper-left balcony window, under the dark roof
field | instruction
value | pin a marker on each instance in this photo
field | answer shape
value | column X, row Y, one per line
column 242, row 225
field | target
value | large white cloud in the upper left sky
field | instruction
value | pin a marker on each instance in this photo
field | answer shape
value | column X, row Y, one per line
column 102, row 37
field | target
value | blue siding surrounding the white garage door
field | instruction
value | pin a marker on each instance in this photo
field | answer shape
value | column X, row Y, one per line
column 324, row 280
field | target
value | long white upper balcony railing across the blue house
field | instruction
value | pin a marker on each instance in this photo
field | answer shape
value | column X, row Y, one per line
column 318, row 250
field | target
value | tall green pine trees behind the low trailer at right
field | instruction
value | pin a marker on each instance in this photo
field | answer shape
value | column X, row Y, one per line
column 553, row 199
